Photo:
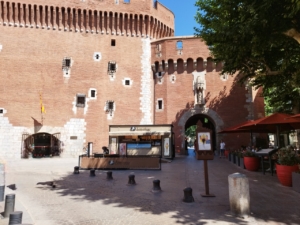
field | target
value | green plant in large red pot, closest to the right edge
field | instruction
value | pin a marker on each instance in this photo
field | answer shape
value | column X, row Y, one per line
column 287, row 161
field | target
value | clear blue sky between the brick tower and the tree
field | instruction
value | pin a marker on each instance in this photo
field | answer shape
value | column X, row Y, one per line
column 184, row 11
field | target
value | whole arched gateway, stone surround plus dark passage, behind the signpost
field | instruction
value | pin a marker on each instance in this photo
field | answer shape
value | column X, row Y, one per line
column 209, row 119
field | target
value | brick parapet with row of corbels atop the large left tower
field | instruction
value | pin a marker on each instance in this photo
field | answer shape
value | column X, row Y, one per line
column 100, row 17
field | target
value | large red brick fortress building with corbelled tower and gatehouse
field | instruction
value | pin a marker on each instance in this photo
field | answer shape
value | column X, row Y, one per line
column 93, row 63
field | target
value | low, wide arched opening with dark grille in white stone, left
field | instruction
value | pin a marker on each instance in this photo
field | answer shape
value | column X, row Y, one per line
column 42, row 145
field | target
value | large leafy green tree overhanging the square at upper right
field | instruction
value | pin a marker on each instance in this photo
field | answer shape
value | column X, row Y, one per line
column 256, row 39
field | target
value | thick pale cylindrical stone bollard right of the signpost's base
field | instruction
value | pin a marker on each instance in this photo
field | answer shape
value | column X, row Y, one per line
column 239, row 196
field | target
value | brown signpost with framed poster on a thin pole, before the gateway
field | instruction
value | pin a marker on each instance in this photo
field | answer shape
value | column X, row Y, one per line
column 204, row 152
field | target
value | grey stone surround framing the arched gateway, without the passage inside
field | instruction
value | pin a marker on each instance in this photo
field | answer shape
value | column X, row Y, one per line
column 201, row 111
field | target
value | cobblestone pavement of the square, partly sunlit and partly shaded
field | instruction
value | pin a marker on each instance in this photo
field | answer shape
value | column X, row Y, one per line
column 84, row 200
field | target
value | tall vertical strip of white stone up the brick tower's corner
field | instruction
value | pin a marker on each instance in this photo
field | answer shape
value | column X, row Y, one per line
column 146, row 98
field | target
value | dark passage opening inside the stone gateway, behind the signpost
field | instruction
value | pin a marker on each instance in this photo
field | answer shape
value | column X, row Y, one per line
column 207, row 122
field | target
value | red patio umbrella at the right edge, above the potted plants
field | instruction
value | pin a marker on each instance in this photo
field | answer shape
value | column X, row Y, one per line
column 274, row 123
